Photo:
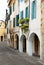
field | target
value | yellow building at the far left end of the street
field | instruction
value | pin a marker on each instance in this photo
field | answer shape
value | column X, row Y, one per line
column 3, row 31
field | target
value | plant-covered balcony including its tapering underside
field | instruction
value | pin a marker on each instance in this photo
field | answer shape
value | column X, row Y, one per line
column 24, row 24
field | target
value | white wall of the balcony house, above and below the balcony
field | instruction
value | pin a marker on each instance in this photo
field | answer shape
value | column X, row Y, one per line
column 23, row 5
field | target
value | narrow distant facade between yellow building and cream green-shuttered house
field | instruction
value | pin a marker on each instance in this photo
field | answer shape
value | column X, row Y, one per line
column 7, row 26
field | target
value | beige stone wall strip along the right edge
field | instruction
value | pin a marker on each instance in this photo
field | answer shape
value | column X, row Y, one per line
column 42, row 27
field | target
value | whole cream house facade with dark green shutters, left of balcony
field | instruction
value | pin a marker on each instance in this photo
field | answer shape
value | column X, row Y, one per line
column 14, row 16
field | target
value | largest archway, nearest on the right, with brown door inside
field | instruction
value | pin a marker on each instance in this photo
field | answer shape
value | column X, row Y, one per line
column 34, row 45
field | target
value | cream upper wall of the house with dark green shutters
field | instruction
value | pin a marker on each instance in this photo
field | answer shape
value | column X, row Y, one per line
column 15, row 12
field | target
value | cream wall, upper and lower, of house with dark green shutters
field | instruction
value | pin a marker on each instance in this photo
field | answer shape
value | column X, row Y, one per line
column 13, row 15
